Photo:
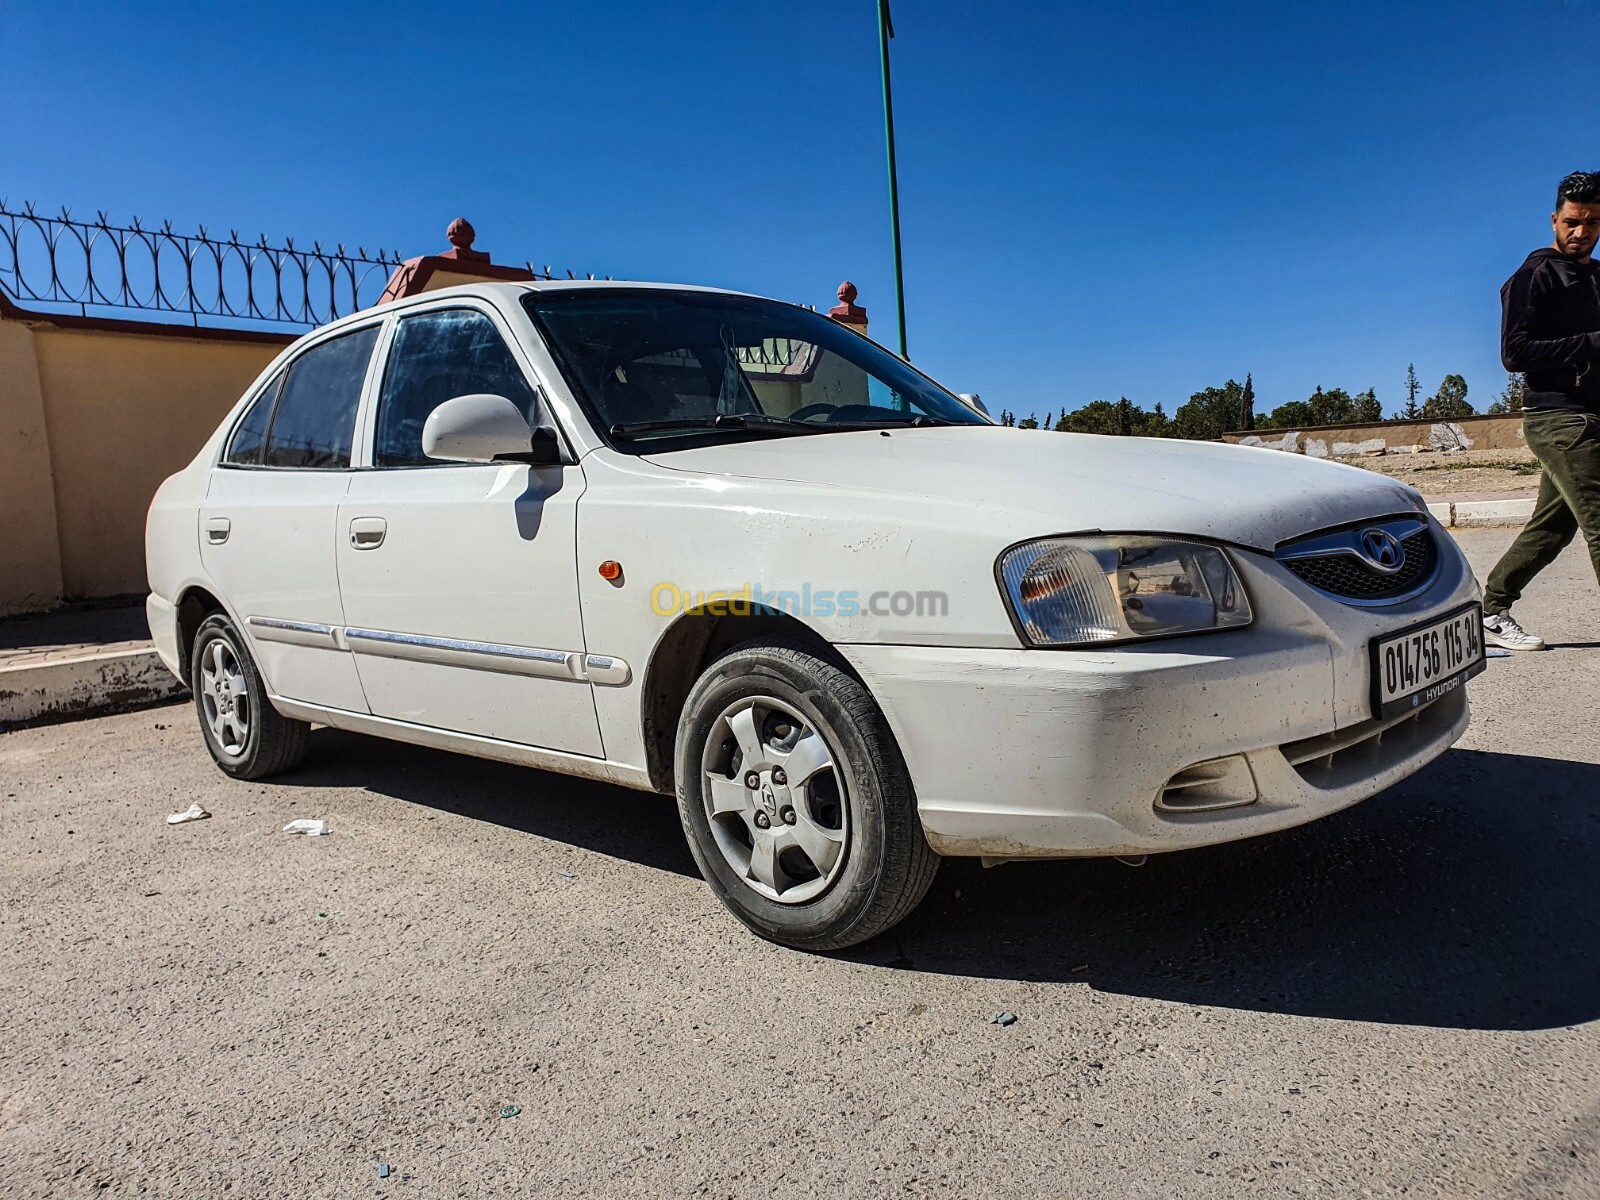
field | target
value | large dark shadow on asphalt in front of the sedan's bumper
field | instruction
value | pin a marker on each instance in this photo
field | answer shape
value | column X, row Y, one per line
column 1468, row 897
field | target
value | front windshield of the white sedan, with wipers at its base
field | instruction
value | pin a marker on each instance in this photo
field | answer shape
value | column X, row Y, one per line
column 666, row 366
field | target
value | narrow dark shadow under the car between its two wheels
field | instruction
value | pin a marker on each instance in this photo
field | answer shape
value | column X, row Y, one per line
column 618, row 822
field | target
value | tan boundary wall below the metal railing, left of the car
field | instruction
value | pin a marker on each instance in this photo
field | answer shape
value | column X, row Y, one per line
column 97, row 415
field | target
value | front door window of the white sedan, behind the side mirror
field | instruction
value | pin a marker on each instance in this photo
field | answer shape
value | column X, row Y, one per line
column 436, row 358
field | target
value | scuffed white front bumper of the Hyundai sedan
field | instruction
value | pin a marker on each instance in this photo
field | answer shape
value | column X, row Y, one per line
column 1058, row 754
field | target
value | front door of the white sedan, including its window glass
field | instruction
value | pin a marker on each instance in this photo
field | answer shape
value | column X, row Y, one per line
column 460, row 580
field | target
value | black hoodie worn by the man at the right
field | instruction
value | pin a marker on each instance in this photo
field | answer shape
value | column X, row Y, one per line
column 1551, row 330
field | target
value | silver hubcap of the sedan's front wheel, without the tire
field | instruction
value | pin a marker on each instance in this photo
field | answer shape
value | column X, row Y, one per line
column 775, row 801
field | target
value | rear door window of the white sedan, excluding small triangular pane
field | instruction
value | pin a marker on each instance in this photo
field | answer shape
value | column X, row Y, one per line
column 314, row 423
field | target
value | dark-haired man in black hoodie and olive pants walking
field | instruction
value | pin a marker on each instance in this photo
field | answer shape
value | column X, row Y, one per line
column 1551, row 332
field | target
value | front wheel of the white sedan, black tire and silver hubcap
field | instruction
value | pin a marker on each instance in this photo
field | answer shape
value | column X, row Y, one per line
column 826, row 850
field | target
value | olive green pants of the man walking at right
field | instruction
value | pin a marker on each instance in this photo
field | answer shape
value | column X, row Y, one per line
column 1569, row 449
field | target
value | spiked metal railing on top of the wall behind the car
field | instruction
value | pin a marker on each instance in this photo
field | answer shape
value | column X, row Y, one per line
column 95, row 268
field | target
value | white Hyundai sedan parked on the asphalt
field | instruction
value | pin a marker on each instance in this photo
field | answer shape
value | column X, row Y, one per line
column 716, row 546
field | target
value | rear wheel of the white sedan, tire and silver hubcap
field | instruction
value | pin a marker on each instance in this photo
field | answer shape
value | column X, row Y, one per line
column 246, row 735
